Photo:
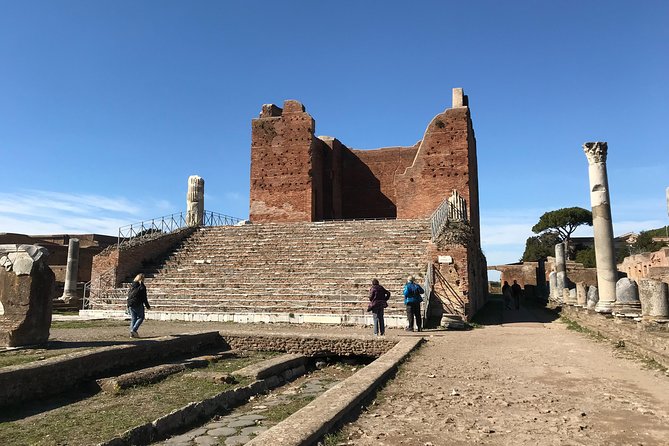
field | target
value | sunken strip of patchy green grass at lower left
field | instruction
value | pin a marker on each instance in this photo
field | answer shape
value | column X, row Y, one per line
column 103, row 416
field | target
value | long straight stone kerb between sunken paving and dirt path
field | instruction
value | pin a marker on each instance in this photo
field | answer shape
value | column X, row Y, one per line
column 315, row 420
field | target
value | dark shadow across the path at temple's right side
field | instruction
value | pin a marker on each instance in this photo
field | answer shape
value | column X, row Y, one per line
column 530, row 311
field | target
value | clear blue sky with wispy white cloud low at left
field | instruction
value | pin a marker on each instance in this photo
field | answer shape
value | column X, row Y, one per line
column 106, row 107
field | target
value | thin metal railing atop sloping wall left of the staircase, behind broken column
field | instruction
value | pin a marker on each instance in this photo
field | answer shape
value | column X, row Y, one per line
column 169, row 223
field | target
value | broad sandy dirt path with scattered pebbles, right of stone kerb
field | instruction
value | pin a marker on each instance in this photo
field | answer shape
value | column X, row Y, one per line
column 525, row 380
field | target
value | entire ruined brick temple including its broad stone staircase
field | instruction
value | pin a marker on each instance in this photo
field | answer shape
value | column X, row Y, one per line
column 324, row 220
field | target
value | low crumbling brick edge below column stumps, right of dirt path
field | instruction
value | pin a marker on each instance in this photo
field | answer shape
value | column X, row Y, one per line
column 635, row 336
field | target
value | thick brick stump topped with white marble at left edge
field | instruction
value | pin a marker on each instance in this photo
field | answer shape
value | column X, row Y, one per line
column 26, row 289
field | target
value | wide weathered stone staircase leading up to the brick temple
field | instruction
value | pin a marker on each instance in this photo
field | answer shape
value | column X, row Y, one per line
column 290, row 272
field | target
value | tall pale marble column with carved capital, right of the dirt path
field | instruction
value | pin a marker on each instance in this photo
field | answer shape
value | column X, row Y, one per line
column 607, row 273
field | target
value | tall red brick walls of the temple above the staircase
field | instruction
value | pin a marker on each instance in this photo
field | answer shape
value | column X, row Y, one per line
column 298, row 177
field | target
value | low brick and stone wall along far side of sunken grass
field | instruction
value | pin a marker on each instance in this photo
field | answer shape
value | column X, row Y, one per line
column 60, row 373
